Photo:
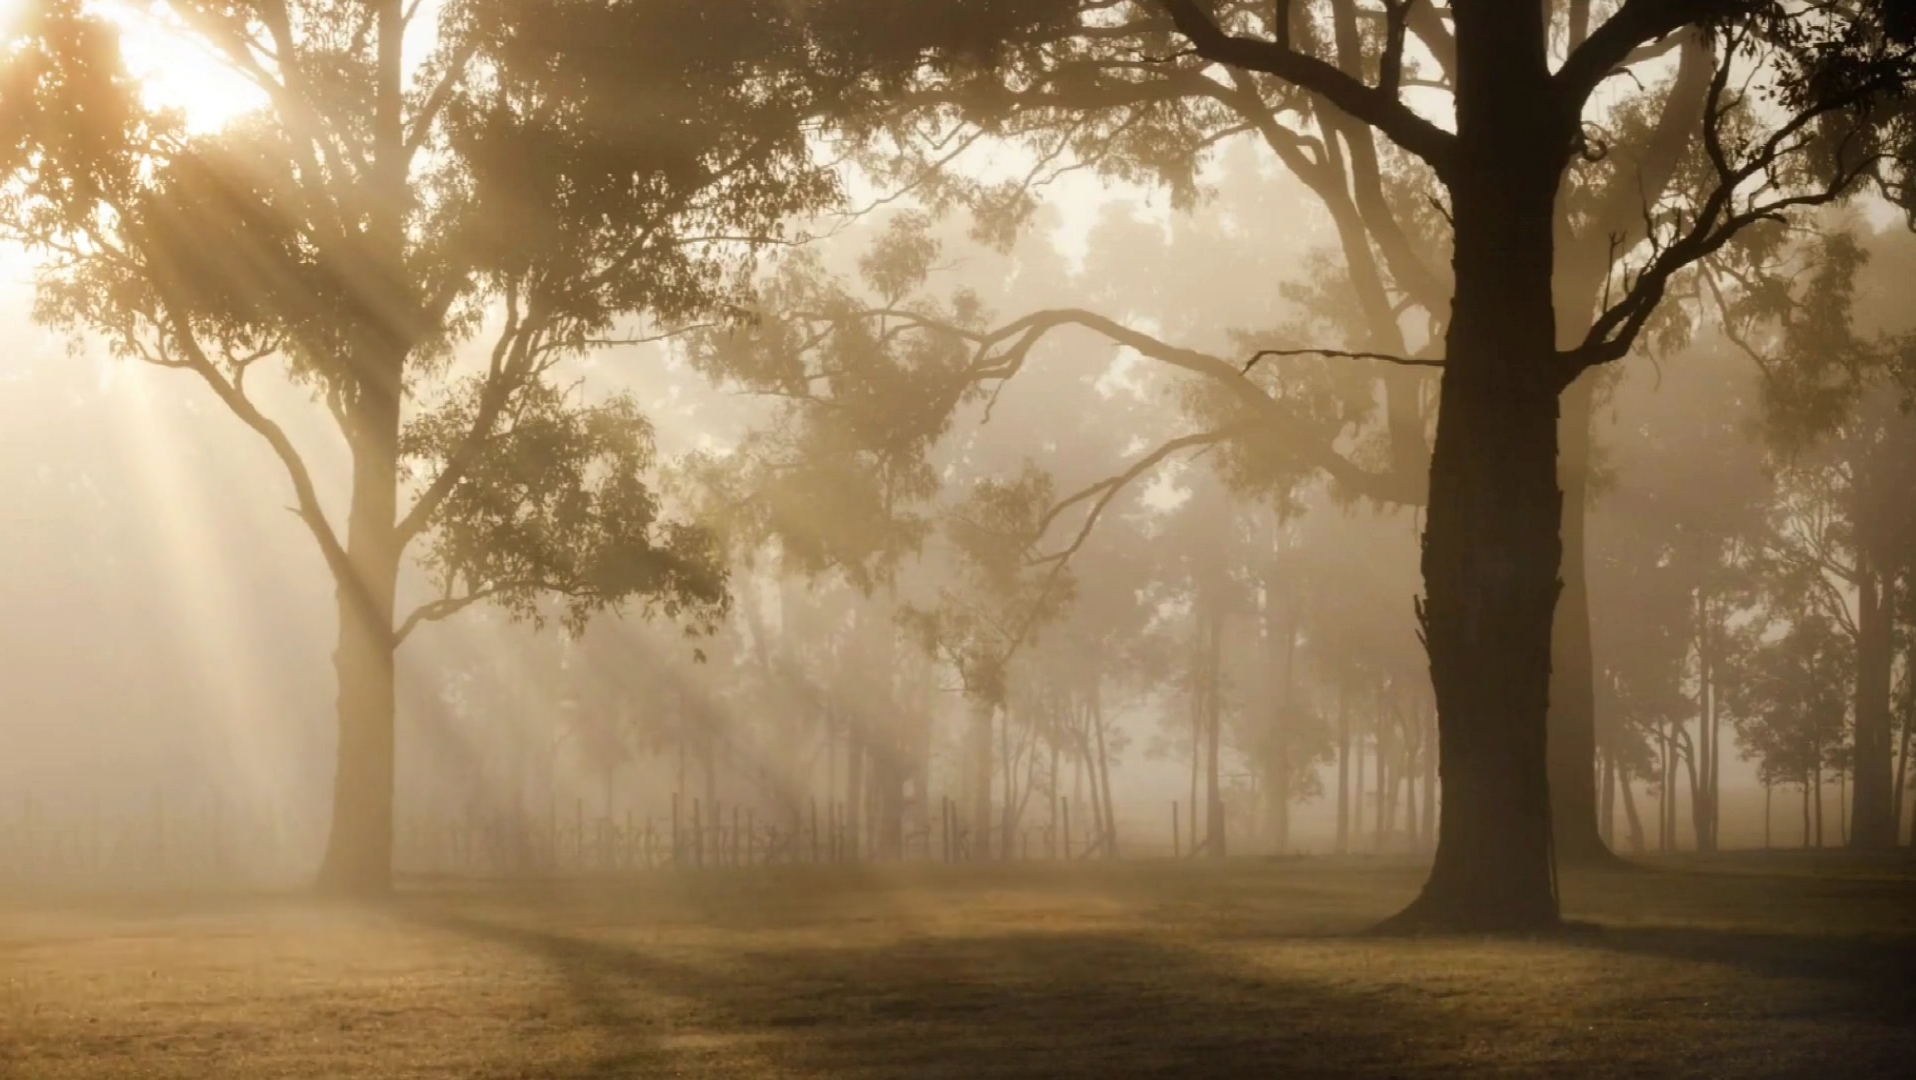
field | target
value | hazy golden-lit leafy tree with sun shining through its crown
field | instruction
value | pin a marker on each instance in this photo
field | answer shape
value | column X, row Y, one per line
column 424, row 231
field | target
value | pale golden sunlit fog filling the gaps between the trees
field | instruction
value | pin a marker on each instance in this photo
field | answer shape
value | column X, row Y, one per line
column 170, row 625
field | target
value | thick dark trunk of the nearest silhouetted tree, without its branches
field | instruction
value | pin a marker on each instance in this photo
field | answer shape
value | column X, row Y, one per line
column 1492, row 545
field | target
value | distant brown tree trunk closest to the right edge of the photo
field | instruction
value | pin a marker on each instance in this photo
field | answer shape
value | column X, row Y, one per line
column 1873, row 819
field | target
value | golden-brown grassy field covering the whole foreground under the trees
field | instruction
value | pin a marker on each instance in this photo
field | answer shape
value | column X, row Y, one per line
column 1783, row 966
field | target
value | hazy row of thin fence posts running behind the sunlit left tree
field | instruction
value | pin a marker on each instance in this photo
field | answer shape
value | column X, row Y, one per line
column 252, row 844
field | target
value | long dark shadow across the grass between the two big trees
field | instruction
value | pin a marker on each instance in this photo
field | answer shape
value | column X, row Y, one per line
column 1028, row 1004
